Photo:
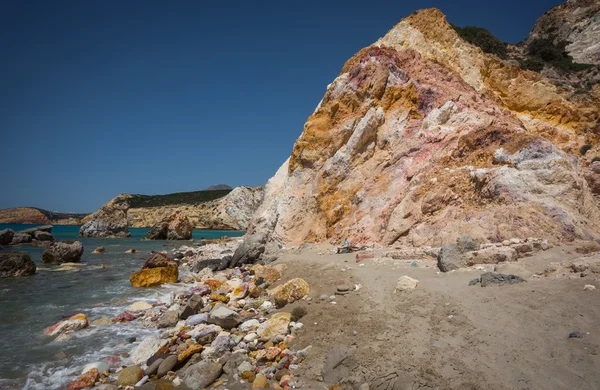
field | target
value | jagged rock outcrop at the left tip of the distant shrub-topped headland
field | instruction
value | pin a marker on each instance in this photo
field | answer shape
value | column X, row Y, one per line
column 109, row 221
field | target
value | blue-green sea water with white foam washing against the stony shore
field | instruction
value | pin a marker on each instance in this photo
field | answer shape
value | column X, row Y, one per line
column 30, row 359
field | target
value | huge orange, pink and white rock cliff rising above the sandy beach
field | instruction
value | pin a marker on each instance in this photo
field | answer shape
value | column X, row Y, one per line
column 422, row 138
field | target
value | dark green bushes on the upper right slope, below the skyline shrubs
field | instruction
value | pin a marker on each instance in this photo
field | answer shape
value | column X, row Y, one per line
column 543, row 51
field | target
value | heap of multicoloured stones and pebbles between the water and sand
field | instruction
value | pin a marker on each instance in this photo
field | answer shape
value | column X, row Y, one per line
column 226, row 327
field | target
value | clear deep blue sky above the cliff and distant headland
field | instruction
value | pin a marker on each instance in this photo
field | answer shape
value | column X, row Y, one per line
column 105, row 97
